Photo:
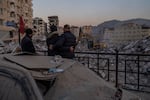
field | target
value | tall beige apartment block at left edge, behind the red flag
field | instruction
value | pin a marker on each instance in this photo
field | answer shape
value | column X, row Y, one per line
column 11, row 10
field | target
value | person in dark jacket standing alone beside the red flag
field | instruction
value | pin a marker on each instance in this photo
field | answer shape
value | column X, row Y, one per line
column 26, row 42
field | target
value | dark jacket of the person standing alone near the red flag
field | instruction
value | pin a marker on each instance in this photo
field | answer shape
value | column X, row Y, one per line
column 27, row 45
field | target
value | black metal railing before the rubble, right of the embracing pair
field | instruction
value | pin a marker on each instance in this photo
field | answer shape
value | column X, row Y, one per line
column 126, row 70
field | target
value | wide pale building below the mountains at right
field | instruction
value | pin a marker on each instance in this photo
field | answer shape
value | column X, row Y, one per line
column 125, row 33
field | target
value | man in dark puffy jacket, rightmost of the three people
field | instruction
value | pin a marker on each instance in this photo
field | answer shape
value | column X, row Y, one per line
column 66, row 43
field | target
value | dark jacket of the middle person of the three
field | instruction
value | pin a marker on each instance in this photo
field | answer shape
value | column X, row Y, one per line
column 51, row 40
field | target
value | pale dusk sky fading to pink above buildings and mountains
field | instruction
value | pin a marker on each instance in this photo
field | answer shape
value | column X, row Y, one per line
column 91, row 12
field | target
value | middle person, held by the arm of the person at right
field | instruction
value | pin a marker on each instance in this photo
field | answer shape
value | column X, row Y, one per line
column 51, row 40
